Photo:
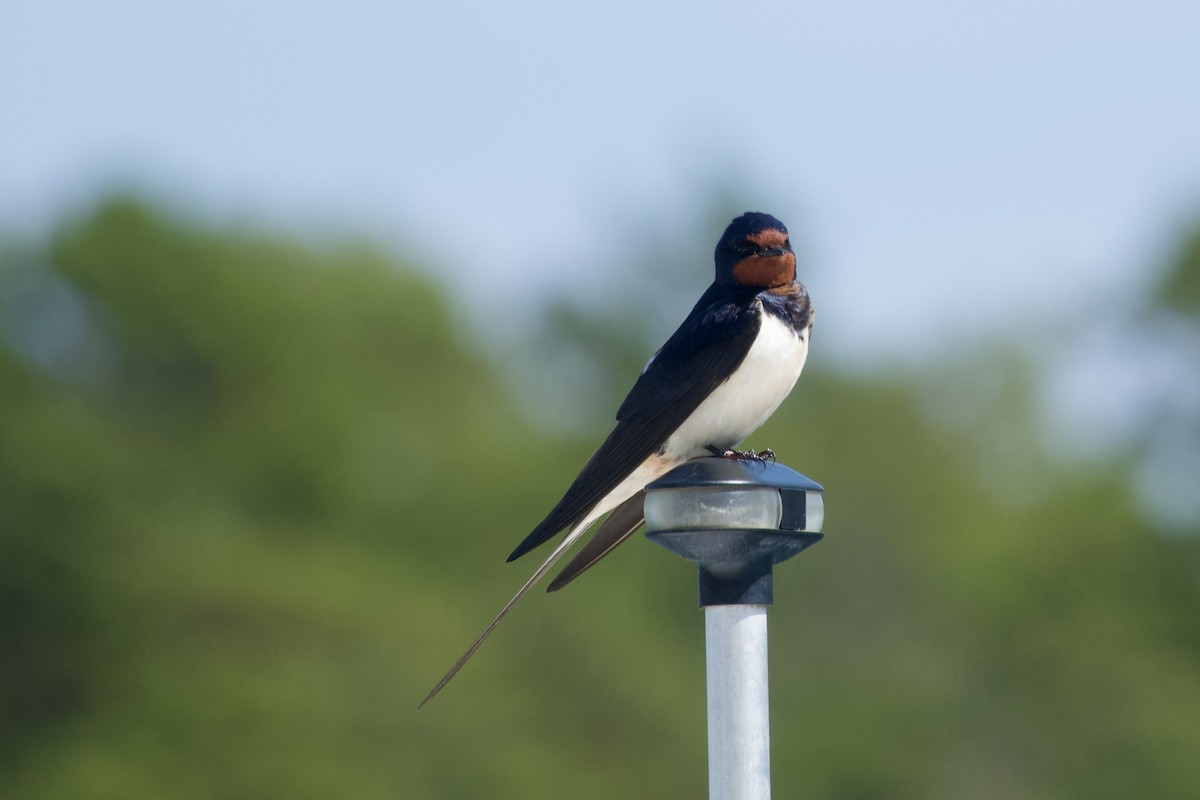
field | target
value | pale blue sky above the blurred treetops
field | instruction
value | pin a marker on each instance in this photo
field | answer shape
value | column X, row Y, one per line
column 951, row 166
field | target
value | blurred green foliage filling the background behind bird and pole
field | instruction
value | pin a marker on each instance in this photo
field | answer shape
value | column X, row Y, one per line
column 255, row 498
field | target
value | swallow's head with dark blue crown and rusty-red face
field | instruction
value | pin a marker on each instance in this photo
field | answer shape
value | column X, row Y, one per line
column 755, row 252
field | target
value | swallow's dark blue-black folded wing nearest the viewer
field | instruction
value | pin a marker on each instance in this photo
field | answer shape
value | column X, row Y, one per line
column 698, row 358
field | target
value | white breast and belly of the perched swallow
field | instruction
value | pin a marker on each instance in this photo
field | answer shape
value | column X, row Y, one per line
column 740, row 406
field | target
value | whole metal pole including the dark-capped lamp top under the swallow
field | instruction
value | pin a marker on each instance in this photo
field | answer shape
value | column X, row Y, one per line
column 736, row 519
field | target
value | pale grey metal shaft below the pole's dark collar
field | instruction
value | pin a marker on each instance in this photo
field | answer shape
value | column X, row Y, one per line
column 739, row 718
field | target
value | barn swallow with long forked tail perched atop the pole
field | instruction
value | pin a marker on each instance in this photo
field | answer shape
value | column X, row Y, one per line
column 716, row 382
